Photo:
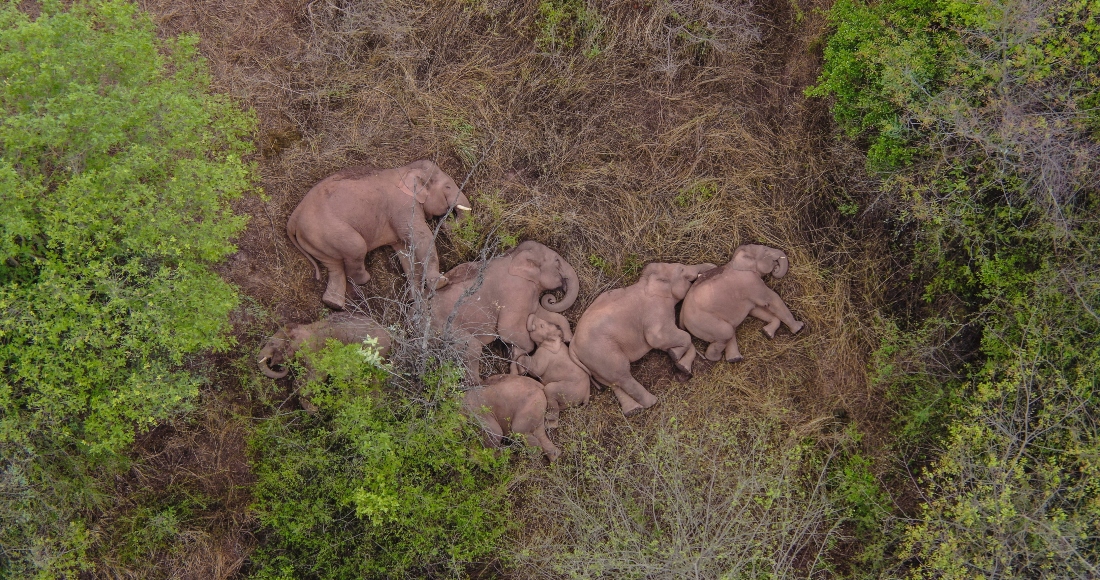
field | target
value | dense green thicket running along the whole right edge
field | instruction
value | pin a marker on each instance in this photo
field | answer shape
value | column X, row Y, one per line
column 978, row 117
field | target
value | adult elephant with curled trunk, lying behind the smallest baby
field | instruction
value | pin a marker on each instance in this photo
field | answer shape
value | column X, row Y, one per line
column 490, row 301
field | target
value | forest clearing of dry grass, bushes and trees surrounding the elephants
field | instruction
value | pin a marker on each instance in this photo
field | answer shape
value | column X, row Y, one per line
column 928, row 168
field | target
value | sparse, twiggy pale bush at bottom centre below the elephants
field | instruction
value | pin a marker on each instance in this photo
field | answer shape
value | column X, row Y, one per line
column 738, row 499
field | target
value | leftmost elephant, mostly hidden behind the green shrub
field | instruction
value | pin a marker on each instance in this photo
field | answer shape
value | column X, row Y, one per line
column 345, row 327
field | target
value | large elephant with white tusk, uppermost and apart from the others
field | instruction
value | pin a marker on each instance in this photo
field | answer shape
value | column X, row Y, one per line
column 358, row 210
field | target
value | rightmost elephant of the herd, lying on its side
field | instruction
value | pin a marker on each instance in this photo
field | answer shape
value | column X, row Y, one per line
column 722, row 299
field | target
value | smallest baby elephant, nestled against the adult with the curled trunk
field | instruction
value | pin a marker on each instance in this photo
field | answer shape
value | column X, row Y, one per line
column 565, row 381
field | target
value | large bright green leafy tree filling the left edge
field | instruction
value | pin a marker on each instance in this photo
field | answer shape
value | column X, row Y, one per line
column 117, row 168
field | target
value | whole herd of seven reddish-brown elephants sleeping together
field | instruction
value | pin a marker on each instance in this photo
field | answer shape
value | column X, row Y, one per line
column 357, row 211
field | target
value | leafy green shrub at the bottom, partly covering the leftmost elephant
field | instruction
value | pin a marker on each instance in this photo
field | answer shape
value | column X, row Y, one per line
column 375, row 486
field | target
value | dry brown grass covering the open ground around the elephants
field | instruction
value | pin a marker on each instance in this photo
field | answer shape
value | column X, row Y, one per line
column 621, row 134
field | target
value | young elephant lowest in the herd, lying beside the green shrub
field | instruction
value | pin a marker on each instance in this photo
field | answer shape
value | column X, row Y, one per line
column 512, row 404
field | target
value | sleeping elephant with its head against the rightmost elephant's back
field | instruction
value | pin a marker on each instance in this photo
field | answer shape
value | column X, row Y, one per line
column 625, row 324
